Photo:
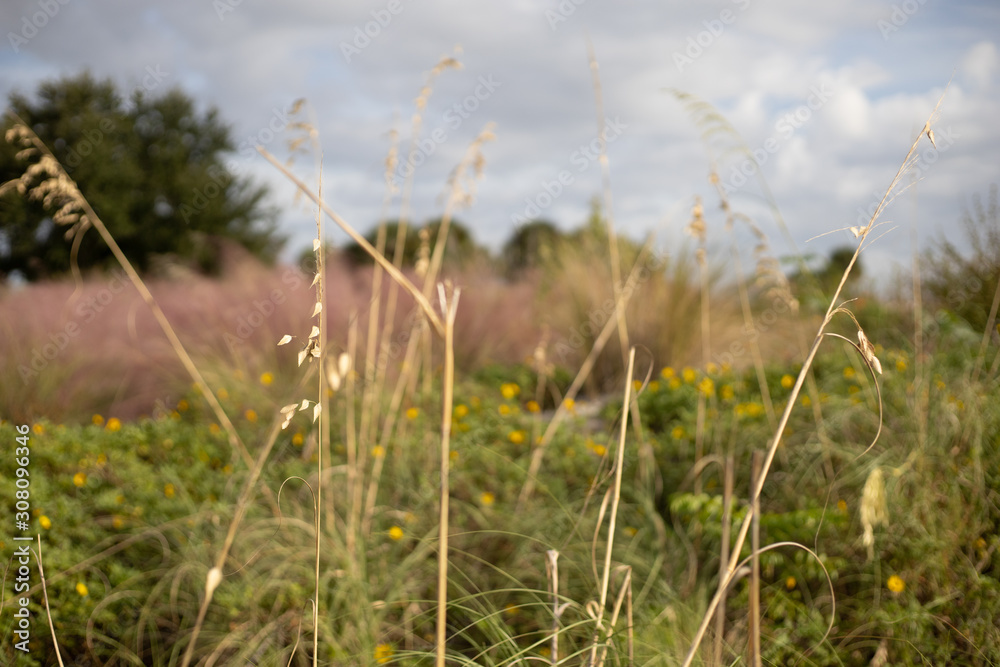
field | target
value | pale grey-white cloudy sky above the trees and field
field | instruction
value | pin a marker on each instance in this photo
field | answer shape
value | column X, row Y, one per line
column 829, row 96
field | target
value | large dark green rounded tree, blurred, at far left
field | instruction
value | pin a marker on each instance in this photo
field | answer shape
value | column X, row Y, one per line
column 154, row 170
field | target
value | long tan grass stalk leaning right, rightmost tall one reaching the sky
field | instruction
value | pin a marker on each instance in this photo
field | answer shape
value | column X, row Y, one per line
column 797, row 388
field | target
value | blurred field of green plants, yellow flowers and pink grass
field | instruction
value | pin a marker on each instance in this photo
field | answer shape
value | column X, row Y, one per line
column 889, row 554
